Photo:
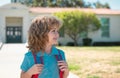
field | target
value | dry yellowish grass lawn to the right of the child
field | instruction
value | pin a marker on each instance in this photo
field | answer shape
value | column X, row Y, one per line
column 93, row 62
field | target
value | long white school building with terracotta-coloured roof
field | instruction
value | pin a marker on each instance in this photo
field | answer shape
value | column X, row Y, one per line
column 15, row 20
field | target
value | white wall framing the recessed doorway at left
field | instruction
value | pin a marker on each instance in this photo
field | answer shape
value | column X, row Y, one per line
column 14, row 12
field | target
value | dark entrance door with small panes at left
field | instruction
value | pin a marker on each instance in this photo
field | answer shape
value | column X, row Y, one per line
column 13, row 34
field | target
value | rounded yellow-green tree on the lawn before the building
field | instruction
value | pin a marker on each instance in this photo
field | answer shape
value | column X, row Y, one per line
column 77, row 22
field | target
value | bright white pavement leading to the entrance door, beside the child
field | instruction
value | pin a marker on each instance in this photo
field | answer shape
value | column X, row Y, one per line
column 11, row 56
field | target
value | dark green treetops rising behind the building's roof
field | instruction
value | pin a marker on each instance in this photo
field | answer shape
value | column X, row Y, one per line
column 64, row 3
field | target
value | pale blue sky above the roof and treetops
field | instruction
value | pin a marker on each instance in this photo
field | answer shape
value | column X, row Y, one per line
column 114, row 4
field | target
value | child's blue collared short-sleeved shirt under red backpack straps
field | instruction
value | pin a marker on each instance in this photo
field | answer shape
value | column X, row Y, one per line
column 50, row 69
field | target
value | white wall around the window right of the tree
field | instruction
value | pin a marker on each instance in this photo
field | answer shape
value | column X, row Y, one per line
column 114, row 30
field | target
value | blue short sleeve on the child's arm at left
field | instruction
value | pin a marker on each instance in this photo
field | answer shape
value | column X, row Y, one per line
column 24, row 66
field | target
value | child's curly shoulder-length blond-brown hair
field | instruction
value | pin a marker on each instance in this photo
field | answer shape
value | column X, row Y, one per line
column 38, row 32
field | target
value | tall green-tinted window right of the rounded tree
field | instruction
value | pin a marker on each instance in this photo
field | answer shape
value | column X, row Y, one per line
column 105, row 28
